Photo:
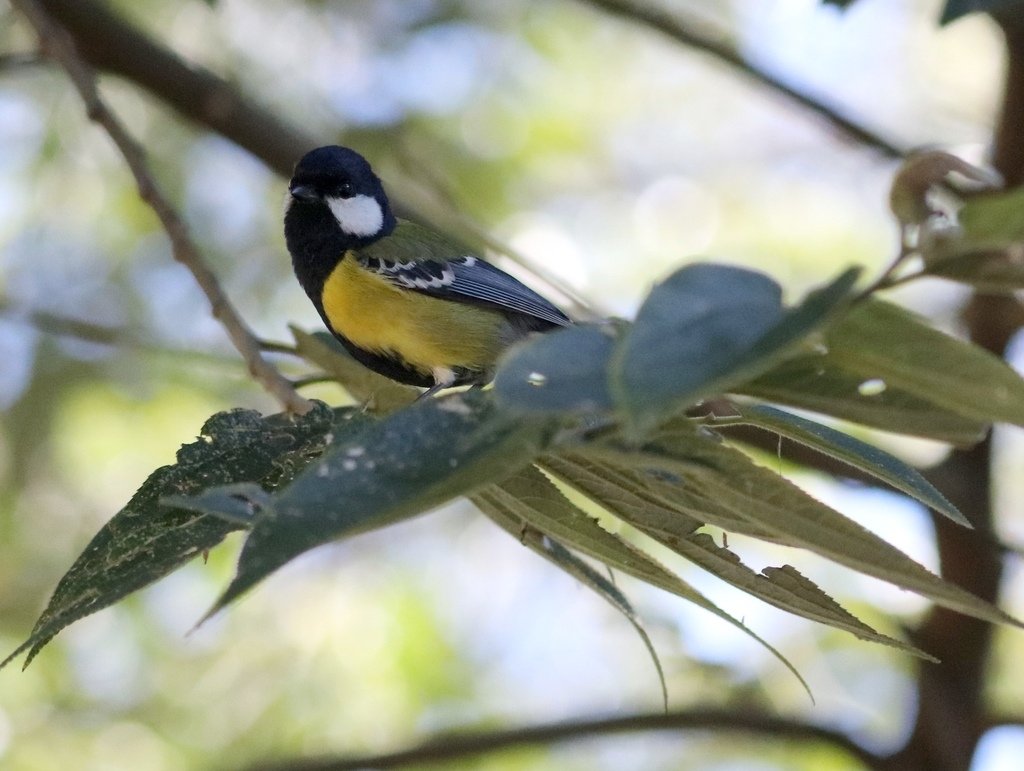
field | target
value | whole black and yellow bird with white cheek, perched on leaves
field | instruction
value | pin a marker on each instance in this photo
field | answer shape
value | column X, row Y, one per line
column 405, row 302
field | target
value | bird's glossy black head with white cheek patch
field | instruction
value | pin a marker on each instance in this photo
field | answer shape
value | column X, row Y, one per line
column 335, row 196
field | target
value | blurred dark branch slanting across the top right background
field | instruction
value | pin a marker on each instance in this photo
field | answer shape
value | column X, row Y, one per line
column 672, row 26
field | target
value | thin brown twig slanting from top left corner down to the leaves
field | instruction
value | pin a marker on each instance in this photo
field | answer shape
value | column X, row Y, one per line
column 58, row 44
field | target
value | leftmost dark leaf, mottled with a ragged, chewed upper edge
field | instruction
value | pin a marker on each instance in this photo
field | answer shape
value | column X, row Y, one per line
column 148, row 539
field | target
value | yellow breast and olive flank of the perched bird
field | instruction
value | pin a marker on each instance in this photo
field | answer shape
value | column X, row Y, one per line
column 425, row 332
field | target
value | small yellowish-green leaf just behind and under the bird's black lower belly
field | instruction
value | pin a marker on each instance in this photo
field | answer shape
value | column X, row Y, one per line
column 323, row 350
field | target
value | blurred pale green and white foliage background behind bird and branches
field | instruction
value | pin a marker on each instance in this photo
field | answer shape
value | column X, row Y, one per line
column 596, row 149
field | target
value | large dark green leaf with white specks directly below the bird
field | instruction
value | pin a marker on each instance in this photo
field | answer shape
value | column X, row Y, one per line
column 412, row 461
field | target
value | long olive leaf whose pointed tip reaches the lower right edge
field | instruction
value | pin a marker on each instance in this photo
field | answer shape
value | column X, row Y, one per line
column 762, row 497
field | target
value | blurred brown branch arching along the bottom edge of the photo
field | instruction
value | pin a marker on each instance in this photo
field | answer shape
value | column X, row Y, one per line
column 448, row 750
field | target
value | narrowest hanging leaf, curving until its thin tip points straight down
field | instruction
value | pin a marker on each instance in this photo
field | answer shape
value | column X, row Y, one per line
column 551, row 550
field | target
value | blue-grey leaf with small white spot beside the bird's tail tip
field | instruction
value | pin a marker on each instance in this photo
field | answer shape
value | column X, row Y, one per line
column 561, row 372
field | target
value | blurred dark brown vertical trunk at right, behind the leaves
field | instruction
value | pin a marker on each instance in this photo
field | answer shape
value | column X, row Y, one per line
column 952, row 710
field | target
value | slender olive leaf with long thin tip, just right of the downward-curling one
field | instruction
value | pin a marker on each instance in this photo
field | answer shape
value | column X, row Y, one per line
column 534, row 500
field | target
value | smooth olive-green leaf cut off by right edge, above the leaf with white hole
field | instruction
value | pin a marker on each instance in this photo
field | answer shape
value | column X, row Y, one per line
column 882, row 341
